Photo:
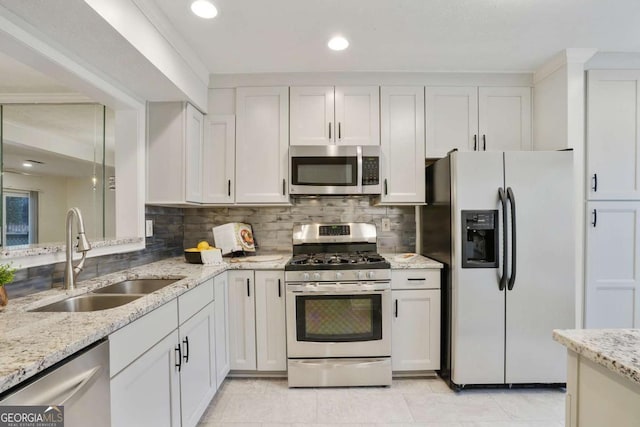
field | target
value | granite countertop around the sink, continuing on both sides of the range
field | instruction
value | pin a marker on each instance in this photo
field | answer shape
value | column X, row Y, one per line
column 33, row 341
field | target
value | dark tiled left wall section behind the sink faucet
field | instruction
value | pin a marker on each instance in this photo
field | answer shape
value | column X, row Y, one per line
column 166, row 242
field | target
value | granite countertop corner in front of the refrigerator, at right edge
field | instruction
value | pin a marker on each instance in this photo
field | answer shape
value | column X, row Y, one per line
column 614, row 349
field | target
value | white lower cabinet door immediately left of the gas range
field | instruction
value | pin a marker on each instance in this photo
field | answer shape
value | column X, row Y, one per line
column 271, row 334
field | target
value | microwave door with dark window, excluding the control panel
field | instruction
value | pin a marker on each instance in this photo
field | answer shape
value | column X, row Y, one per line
column 325, row 169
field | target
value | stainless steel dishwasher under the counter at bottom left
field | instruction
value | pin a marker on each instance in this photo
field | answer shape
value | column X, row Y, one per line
column 80, row 384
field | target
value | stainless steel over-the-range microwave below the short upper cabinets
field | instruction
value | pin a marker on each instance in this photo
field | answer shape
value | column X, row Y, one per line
column 334, row 169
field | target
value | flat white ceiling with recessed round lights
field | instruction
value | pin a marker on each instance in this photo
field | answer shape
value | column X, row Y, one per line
column 253, row 36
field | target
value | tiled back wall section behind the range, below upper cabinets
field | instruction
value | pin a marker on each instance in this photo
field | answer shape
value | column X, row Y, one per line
column 272, row 226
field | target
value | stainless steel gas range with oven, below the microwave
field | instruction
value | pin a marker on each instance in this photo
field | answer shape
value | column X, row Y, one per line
column 338, row 303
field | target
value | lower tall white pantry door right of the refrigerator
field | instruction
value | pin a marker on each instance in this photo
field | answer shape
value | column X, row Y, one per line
column 612, row 283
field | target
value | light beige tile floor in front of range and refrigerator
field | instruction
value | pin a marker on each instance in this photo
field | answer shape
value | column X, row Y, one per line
column 407, row 403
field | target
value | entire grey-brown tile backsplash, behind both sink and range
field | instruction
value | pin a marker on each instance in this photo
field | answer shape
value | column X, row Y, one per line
column 177, row 228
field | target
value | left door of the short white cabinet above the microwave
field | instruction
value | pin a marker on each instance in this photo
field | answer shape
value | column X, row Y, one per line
column 312, row 120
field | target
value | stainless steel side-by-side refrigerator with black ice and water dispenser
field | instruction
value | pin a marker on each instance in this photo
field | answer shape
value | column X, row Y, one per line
column 503, row 225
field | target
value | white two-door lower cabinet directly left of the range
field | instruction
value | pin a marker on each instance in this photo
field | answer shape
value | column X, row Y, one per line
column 257, row 331
